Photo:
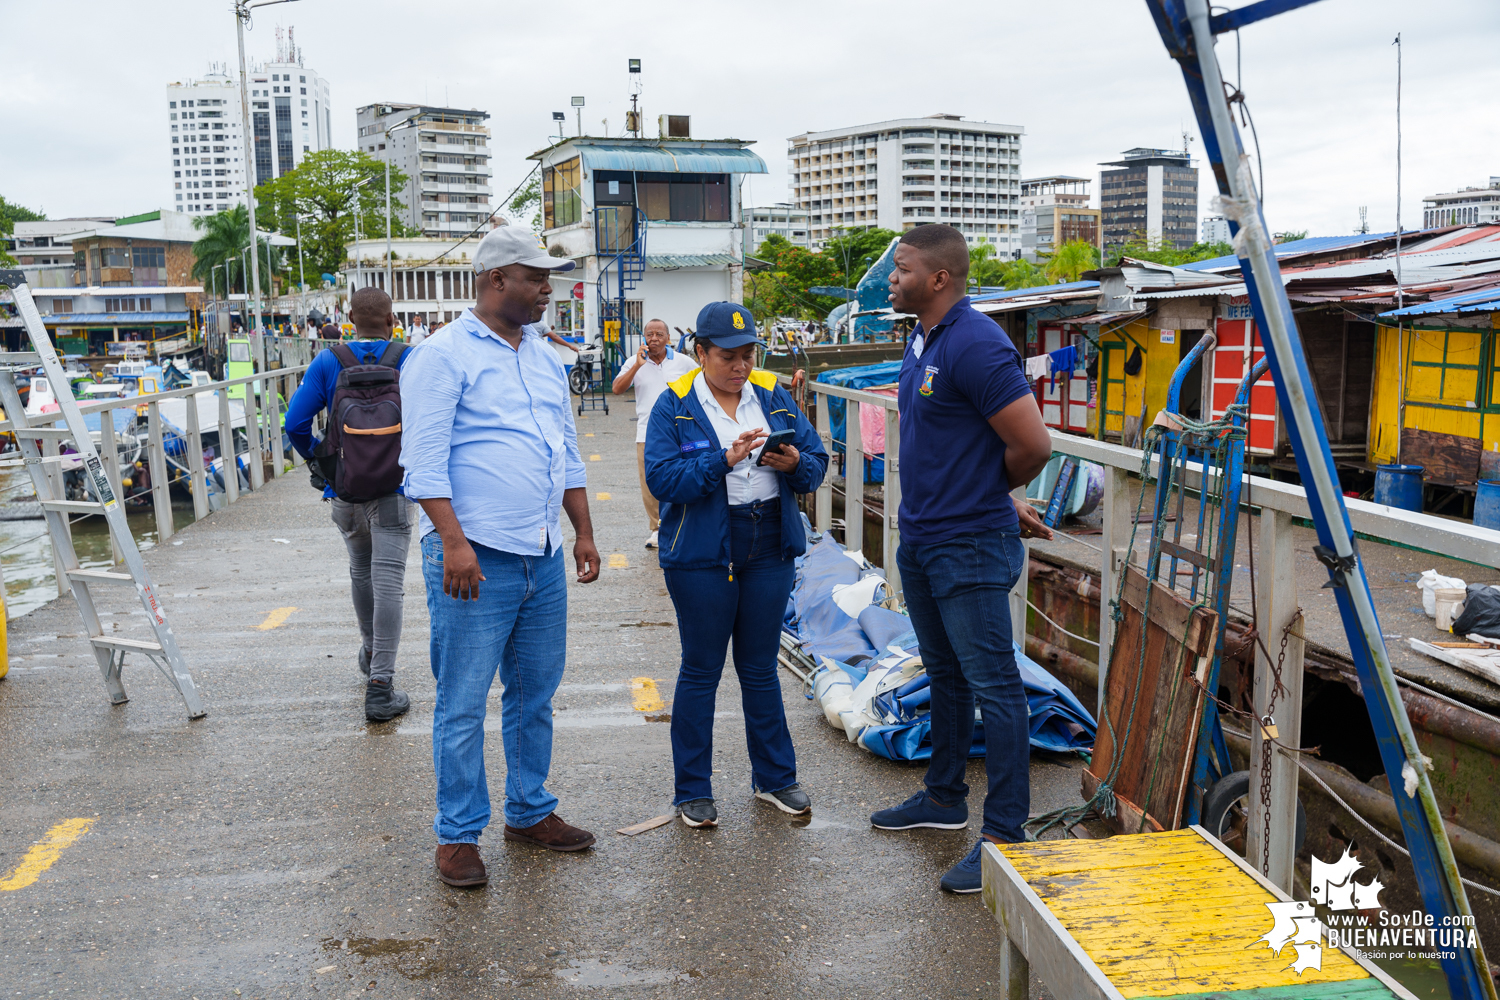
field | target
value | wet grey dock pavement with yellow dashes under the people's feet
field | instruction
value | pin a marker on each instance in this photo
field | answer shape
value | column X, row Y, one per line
column 283, row 848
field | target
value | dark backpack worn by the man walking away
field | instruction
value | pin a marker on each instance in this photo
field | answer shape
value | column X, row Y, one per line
column 361, row 457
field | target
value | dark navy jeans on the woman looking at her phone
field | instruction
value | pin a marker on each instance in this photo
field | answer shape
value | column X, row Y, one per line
column 712, row 611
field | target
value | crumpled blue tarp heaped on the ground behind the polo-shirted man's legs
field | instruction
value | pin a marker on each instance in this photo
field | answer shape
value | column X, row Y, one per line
column 895, row 722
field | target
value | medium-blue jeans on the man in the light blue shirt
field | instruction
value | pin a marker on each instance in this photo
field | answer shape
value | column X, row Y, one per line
column 520, row 626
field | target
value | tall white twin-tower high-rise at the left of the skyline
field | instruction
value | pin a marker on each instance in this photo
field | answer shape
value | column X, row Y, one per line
column 290, row 118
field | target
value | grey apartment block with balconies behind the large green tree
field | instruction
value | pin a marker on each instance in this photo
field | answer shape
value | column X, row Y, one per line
column 446, row 158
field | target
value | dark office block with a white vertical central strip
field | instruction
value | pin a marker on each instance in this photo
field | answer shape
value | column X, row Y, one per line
column 1151, row 194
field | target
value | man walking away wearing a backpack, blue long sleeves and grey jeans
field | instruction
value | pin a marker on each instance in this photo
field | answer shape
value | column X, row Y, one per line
column 359, row 472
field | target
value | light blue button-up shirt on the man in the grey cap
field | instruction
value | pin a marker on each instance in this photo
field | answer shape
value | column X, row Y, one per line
column 490, row 428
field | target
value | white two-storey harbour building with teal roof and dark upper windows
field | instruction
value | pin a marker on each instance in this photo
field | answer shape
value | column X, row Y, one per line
column 661, row 217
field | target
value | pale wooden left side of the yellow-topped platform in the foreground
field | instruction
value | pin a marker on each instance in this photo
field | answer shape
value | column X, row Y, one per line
column 1037, row 935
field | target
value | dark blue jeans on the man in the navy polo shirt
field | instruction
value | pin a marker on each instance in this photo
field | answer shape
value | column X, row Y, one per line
column 958, row 594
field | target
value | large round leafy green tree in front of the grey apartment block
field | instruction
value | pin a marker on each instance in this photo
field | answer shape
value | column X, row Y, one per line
column 322, row 191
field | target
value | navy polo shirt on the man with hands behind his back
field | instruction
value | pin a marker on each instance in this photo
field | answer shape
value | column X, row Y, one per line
column 953, row 464
